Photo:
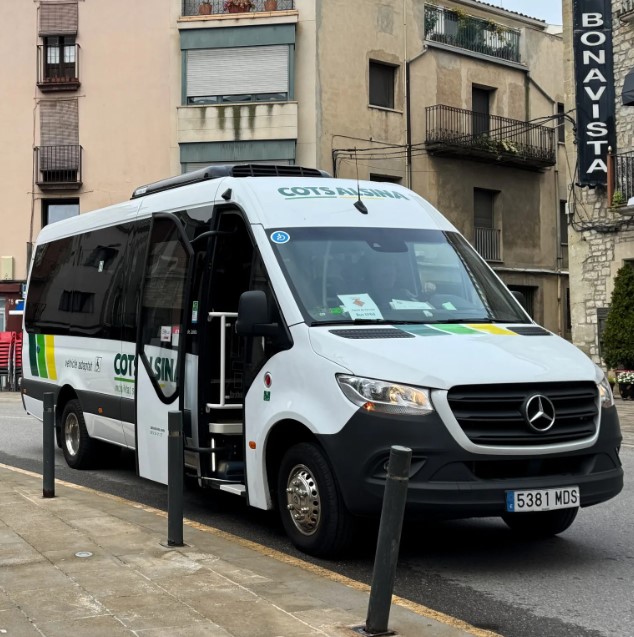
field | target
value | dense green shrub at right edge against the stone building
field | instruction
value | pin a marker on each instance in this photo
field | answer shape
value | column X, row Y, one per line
column 617, row 345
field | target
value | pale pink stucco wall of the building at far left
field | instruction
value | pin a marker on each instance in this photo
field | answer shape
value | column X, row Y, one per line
column 126, row 104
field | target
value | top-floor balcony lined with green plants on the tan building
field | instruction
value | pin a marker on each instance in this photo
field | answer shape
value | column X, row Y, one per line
column 456, row 28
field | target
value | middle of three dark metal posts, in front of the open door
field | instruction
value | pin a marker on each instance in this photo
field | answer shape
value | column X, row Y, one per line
column 175, row 478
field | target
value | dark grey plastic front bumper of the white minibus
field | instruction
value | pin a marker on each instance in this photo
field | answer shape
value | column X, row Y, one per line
column 446, row 481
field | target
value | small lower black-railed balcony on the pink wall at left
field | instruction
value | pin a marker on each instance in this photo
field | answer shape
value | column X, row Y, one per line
column 58, row 167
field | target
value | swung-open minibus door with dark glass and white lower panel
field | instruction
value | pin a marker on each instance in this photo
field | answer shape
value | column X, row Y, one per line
column 160, row 344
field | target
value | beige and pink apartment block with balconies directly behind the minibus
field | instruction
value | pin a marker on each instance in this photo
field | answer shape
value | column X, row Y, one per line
column 457, row 99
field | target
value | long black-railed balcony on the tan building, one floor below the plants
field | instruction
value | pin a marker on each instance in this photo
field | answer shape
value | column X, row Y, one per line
column 489, row 138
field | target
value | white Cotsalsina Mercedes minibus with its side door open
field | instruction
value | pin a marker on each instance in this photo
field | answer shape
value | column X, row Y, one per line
column 304, row 325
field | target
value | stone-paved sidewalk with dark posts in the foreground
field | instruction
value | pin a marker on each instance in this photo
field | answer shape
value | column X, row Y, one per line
column 90, row 564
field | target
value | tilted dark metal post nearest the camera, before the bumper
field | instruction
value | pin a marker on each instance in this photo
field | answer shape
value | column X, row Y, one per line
column 389, row 540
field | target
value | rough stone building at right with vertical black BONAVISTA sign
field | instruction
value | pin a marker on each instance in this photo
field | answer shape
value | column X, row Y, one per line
column 599, row 37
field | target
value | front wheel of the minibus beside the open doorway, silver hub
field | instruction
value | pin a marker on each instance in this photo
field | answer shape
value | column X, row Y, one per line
column 312, row 509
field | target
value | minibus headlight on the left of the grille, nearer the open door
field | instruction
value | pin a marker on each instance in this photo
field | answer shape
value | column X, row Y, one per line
column 388, row 398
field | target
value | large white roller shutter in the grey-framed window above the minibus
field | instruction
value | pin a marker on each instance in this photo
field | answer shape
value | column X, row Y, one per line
column 244, row 70
